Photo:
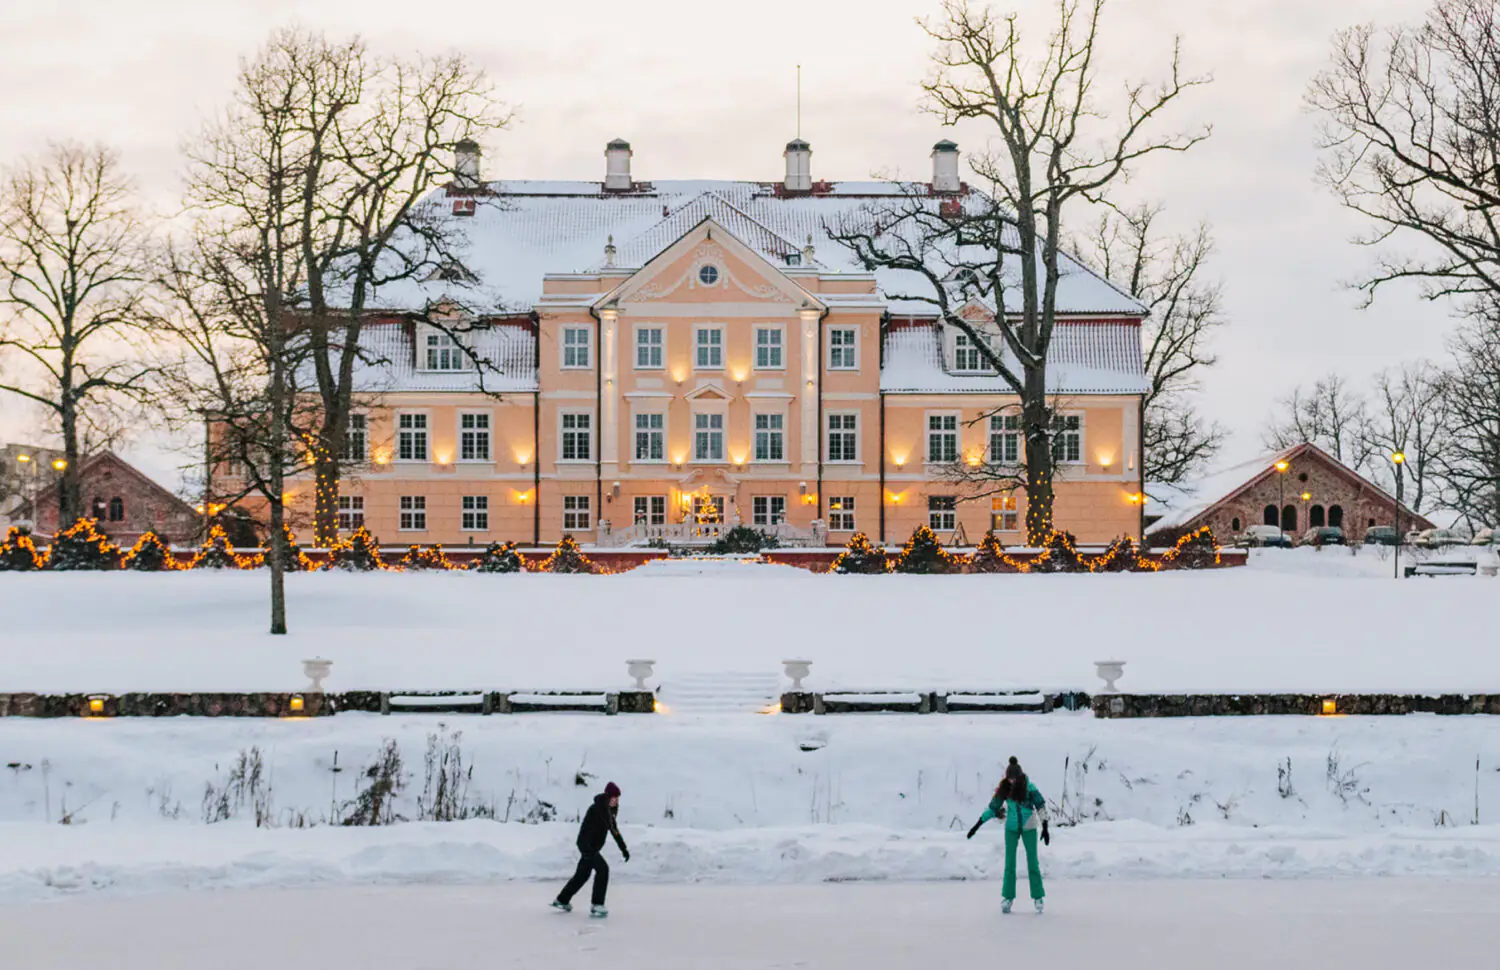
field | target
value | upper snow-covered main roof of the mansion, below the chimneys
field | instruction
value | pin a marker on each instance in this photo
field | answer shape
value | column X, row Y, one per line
column 523, row 232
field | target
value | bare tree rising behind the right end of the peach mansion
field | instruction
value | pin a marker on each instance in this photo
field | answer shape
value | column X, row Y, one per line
column 1168, row 275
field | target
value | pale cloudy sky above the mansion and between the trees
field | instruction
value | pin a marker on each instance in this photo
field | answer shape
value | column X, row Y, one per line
column 709, row 91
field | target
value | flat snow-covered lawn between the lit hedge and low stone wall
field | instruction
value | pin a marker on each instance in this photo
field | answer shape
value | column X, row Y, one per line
column 1301, row 620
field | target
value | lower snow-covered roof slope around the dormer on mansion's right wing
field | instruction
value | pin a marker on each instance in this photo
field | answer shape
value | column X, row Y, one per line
column 1085, row 359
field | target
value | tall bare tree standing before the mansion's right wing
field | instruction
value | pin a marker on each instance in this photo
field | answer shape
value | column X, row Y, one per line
column 1054, row 149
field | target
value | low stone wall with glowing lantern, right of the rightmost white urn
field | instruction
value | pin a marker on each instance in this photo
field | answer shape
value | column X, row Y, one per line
column 1306, row 705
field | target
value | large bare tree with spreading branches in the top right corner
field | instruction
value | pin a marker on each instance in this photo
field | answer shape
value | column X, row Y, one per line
column 1412, row 140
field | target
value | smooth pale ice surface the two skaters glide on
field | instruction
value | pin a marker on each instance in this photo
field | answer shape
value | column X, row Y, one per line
column 1165, row 926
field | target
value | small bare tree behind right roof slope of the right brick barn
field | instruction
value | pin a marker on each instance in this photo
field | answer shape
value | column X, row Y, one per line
column 1409, row 416
